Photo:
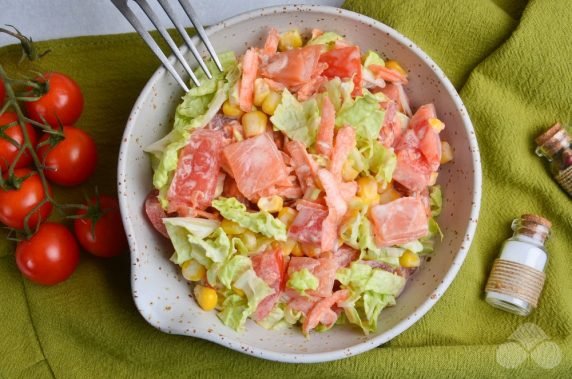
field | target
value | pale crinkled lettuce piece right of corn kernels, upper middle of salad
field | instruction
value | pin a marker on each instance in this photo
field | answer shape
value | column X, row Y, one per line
column 298, row 120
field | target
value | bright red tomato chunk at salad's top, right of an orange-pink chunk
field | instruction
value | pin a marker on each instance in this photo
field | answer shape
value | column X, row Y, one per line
column 344, row 63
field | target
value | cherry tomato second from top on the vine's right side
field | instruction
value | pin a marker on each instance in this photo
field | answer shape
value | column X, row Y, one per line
column 72, row 160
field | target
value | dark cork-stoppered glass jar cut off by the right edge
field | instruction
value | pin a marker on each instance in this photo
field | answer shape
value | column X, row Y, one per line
column 555, row 145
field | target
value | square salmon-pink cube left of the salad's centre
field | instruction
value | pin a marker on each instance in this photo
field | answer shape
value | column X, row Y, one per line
column 256, row 164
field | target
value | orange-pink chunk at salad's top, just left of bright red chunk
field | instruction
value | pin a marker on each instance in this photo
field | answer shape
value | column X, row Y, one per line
column 293, row 67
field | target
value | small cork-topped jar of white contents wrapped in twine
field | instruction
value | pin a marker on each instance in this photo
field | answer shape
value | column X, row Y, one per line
column 517, row 276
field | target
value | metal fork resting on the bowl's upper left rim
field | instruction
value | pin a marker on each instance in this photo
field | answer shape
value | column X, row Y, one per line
column 123, row 7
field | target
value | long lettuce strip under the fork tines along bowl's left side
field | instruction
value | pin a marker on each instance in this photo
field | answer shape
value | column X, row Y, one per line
column 197, row 109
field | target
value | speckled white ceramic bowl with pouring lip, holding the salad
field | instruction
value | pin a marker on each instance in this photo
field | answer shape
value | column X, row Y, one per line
column 162, row 295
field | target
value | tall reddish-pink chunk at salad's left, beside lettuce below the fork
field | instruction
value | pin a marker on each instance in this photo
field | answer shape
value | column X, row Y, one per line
column 195, row 180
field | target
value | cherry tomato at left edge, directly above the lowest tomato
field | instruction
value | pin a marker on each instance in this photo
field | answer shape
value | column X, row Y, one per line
column 15, row 204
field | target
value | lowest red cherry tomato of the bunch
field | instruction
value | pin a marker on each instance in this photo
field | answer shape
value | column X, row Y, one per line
column 50, row 256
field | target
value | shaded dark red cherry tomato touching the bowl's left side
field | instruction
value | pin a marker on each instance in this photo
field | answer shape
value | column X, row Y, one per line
column 107, row 237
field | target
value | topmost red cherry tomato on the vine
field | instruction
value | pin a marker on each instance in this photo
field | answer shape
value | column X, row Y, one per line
column 63, row 101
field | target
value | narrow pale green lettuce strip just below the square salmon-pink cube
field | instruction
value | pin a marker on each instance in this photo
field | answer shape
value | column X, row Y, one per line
column 259, row 222
